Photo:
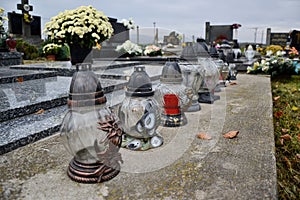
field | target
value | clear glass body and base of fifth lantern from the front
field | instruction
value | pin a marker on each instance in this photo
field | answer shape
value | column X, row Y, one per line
column 211, row 79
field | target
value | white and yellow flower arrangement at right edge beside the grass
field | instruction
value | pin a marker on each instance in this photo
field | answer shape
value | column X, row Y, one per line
column 274, row 65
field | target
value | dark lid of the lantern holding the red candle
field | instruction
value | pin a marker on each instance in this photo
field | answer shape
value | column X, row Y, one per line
column 171, row 73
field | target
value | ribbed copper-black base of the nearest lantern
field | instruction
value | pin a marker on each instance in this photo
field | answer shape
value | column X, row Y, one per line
column 92, row 173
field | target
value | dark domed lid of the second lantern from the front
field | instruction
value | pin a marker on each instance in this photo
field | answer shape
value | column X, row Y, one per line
column 139, row 84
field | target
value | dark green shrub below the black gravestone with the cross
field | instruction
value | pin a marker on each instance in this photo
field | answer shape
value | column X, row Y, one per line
column 30, row 51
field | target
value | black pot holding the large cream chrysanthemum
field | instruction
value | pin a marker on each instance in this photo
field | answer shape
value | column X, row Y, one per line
column 80, row 54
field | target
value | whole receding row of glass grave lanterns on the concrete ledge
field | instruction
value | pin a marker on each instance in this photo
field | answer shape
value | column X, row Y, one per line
column 93, row 133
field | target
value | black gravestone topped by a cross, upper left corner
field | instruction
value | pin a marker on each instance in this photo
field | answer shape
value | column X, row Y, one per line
column 25, row 25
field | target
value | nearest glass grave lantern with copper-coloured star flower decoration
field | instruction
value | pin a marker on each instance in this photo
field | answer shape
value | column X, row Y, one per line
column 90, row 130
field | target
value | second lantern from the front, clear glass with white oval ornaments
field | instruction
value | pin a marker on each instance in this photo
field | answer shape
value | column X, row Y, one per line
column 140, row 113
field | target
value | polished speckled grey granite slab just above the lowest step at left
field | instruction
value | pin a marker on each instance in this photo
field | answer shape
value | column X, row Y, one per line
column 22, row 98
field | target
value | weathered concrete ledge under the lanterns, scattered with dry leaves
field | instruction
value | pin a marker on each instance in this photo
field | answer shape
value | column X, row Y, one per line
column 185, row 167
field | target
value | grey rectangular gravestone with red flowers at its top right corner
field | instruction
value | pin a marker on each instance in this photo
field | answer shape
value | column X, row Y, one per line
column 218, row 32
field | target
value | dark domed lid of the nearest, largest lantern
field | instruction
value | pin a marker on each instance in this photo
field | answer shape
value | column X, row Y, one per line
column 85, row 88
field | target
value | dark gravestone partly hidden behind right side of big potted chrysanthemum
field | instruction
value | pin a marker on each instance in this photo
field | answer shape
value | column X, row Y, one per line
column 120, row 35
